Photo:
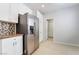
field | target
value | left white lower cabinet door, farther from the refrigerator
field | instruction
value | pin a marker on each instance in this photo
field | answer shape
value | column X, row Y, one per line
column 8, row 46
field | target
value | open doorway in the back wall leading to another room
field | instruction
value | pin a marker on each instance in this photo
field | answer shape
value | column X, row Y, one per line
column 50, row 28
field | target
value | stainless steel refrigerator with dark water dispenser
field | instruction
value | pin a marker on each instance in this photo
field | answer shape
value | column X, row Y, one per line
column 29, row 26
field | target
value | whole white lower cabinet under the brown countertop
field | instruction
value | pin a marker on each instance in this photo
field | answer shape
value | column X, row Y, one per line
column 12, row 46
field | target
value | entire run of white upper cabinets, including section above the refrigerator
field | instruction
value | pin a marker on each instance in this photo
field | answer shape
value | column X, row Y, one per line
column 9, row 11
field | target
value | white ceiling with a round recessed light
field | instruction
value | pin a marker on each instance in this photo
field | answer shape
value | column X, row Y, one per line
column 49, row 7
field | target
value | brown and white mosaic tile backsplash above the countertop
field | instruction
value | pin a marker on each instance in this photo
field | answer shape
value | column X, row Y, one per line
column 7, row 29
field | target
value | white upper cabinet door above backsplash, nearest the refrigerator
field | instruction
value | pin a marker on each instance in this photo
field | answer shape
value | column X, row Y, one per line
column 14, row 12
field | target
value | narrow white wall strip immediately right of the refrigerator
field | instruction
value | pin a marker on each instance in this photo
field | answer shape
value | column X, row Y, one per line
column 40, row 16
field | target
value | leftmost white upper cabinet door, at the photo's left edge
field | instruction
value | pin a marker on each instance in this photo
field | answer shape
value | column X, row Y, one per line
column 4, row 11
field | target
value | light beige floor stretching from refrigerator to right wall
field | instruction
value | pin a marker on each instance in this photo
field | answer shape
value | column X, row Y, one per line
column 50, row 48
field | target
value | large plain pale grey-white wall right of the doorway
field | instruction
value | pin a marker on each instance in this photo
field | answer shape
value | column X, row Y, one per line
column 66, row 25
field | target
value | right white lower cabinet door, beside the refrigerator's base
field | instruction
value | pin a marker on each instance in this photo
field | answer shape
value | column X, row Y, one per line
column 19, row 45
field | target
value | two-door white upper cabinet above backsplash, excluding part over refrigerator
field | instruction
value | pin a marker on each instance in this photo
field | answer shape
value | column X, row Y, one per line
column 9, row 12
